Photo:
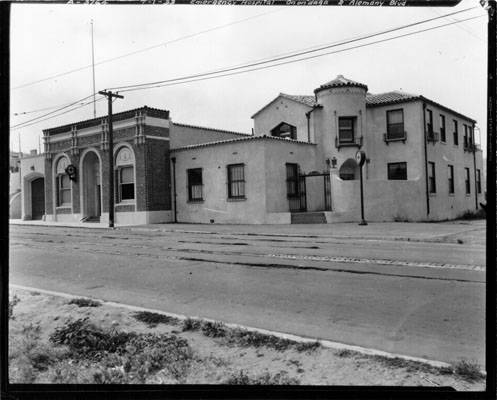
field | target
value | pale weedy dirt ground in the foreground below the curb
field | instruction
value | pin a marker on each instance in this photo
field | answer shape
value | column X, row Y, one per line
column 214, row 361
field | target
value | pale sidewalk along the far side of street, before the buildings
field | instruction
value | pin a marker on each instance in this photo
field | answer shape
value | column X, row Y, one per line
column 467, row 231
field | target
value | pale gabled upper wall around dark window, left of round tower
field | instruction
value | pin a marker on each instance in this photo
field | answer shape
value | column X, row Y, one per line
column 283, row 110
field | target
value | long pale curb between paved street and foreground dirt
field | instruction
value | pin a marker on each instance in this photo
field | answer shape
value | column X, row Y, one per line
column 300, row 339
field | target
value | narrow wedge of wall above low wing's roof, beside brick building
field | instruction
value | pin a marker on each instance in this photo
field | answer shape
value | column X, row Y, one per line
column 185, row 135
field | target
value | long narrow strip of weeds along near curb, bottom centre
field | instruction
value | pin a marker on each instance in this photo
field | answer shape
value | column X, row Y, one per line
column 245, row 338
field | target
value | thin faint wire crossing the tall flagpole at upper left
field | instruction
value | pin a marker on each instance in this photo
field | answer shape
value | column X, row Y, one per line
column 147, row 48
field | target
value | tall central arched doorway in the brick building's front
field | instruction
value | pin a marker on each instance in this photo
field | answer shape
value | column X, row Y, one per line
column 91, row 189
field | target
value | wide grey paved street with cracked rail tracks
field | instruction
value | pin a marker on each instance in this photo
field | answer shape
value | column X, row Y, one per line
column 414, row 289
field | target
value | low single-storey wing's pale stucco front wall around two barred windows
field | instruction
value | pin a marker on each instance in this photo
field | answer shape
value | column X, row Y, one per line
column 215, row 205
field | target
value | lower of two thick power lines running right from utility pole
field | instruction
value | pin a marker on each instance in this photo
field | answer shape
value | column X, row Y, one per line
column 300, row 59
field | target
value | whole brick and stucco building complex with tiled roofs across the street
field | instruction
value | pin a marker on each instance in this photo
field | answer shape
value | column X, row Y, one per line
column 298, row 166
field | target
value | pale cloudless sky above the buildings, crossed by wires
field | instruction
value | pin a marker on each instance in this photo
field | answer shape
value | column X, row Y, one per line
column 447, row 65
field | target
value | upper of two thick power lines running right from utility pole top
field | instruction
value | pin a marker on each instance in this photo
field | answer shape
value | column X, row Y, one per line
column 303, row 52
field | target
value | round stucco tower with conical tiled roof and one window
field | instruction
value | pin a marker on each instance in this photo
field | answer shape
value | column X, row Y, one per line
column 342, row 127
